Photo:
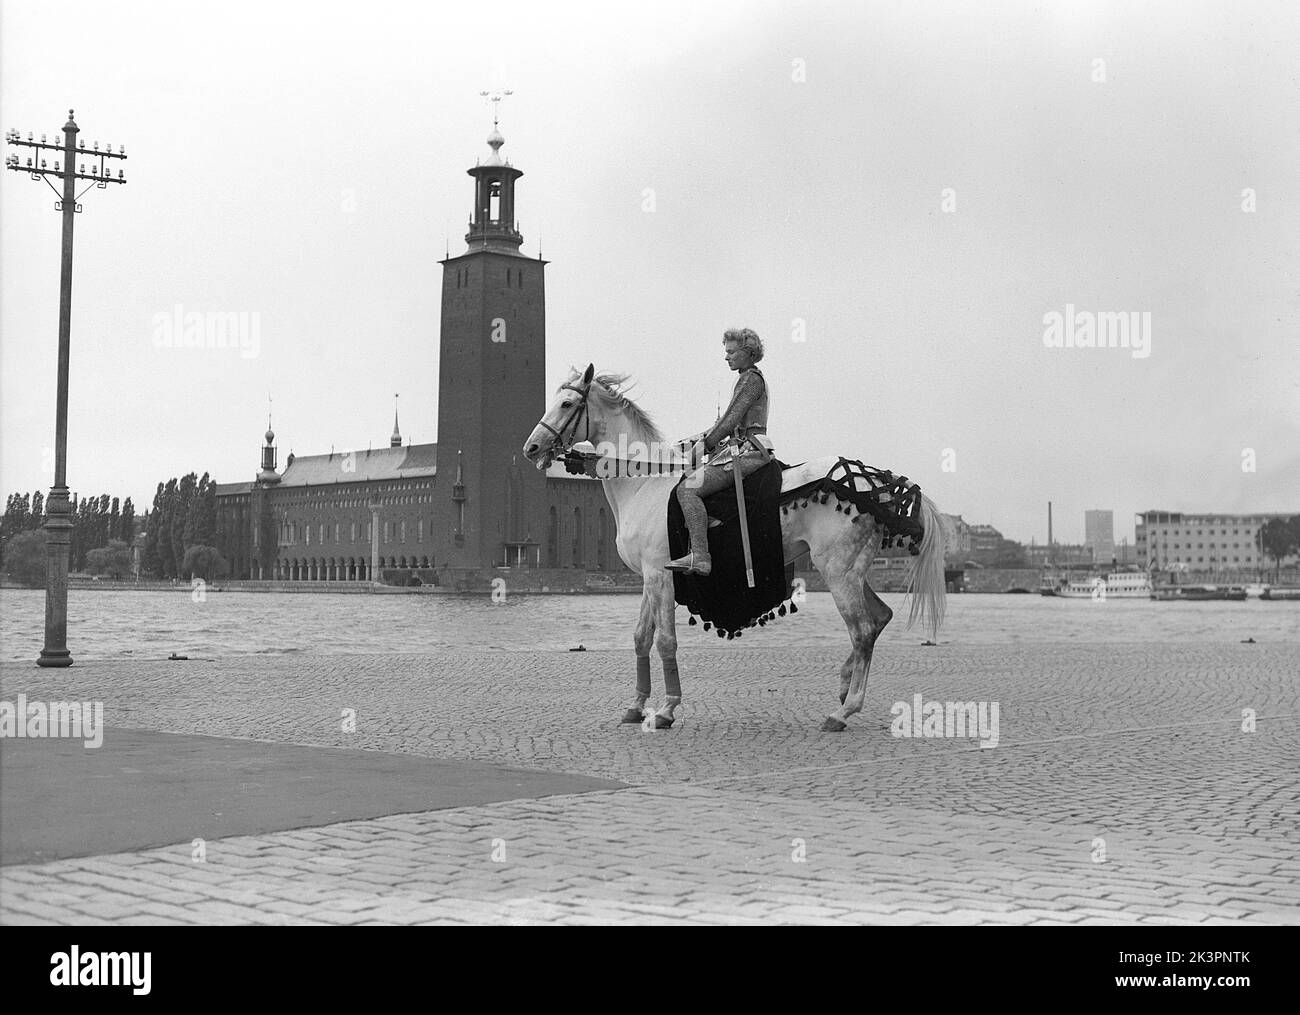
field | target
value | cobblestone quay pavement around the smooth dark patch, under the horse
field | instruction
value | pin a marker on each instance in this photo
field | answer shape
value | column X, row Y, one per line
column 1124, row 790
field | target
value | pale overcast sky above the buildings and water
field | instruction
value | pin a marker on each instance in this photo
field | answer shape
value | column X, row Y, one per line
column 690, row 167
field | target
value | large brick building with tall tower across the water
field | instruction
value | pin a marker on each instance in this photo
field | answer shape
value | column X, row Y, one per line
column 467, row 504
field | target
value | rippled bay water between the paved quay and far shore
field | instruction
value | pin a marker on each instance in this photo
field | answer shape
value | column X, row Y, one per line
column 154, row 624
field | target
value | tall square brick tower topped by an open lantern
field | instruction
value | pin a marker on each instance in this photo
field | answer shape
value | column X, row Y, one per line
column 489, row 502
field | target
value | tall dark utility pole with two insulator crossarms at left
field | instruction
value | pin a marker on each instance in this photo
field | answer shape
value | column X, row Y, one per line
column 59, row 523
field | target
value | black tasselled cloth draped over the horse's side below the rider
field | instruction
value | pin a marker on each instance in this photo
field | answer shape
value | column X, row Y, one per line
column 723, row 597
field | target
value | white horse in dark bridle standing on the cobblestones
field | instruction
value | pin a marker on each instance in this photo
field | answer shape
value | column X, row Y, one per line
column 593, row 409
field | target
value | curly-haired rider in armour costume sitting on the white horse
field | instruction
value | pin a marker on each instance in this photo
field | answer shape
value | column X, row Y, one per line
column 746, row 415
